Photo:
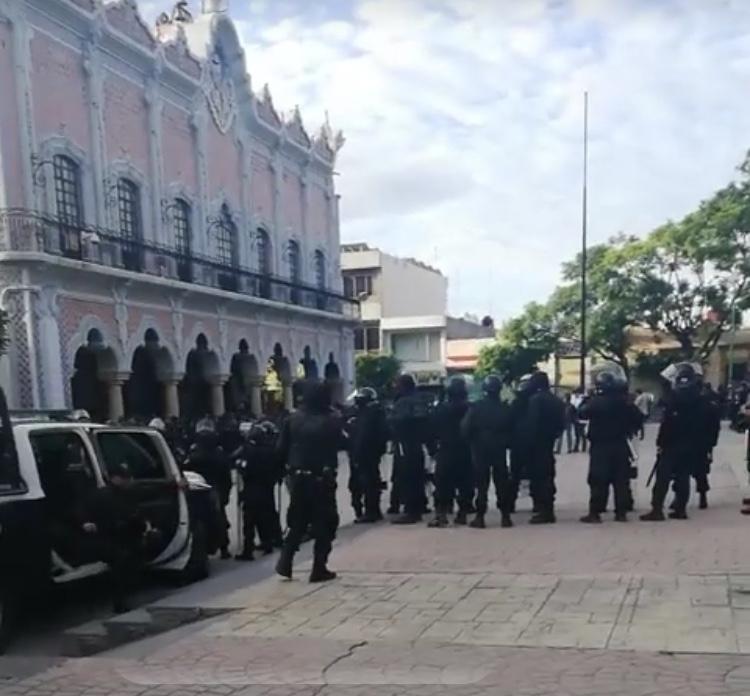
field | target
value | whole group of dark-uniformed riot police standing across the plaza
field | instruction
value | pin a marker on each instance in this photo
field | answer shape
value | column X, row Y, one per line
column 470, row 444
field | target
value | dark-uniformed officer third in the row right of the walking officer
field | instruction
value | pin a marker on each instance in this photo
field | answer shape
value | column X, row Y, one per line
column 453, row 475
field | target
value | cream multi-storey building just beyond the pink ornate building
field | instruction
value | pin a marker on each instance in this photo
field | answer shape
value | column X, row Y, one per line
column 403, row 306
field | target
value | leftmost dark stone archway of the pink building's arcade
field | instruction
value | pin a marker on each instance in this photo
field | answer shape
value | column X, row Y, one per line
column 94, row 379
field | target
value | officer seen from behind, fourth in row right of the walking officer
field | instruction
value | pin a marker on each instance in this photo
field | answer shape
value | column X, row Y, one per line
column 488, row 428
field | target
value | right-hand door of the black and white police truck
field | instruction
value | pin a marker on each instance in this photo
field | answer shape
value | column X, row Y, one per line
column 154, row 484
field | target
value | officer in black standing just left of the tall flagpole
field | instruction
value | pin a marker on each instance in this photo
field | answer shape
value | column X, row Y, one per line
column 540, row 427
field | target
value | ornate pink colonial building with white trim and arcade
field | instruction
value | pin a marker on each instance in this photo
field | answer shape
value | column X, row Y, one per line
column 165, row 234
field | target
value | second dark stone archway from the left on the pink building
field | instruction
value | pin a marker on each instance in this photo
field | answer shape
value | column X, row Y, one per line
column 148, row 392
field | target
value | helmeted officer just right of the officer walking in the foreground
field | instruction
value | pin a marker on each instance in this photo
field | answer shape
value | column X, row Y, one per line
column 368, row 438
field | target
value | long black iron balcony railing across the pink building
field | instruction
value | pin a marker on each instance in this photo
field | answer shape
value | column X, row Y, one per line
column 23, row 230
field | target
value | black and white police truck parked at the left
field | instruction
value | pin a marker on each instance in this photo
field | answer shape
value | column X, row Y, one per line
column 50, row 468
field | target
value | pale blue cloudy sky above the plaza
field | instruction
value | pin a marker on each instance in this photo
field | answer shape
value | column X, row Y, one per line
column 463, row 121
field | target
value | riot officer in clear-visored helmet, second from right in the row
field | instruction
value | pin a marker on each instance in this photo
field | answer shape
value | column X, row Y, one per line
column 613, row 420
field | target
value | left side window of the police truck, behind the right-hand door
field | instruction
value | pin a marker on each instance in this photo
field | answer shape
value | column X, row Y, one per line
column 63, row 463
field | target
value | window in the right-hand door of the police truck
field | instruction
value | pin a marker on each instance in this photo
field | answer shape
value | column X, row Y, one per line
column 138, row 453
